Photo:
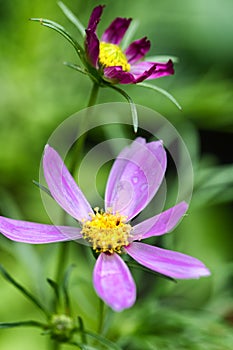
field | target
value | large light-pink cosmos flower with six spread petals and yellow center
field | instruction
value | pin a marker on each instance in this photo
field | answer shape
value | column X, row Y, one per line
column 133, row 181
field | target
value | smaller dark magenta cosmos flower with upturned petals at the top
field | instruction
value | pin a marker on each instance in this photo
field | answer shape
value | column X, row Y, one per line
column 117, row 66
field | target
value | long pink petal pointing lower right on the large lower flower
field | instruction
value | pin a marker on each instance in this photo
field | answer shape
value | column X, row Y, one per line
column 167, row 262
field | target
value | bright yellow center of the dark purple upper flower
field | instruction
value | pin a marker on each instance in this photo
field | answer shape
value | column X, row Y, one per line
column 112, row 55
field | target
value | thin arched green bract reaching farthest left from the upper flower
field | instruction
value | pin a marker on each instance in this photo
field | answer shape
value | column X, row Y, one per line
column 61, row 30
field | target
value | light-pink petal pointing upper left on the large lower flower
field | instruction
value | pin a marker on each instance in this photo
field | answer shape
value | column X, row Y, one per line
column 63, row 187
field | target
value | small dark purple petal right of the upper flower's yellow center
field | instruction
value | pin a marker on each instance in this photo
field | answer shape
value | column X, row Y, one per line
column 137, row 50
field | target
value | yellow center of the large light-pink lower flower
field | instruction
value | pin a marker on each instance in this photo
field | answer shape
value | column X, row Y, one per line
column 106, row 232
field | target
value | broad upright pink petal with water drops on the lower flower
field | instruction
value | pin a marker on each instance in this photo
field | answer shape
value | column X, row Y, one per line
column 135, row 177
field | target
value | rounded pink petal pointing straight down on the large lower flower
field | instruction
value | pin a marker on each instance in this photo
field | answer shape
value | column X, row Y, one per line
column 113, row 282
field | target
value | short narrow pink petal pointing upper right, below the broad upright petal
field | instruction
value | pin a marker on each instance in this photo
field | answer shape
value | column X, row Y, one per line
column 159, row 224
